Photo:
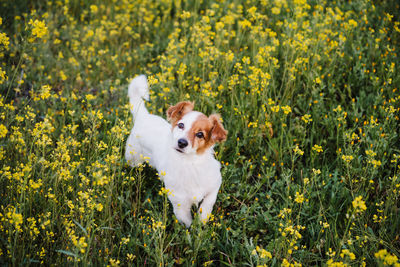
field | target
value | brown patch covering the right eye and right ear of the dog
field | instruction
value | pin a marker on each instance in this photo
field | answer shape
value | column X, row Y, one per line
column 205, row 132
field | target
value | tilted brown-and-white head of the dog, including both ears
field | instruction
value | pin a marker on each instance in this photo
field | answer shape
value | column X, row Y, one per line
column 192, row 131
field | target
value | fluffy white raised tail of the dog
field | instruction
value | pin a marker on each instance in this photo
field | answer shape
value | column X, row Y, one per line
column 137, row 91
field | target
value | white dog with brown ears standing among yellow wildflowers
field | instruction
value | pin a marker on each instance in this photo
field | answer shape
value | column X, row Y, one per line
column 183, row 150
